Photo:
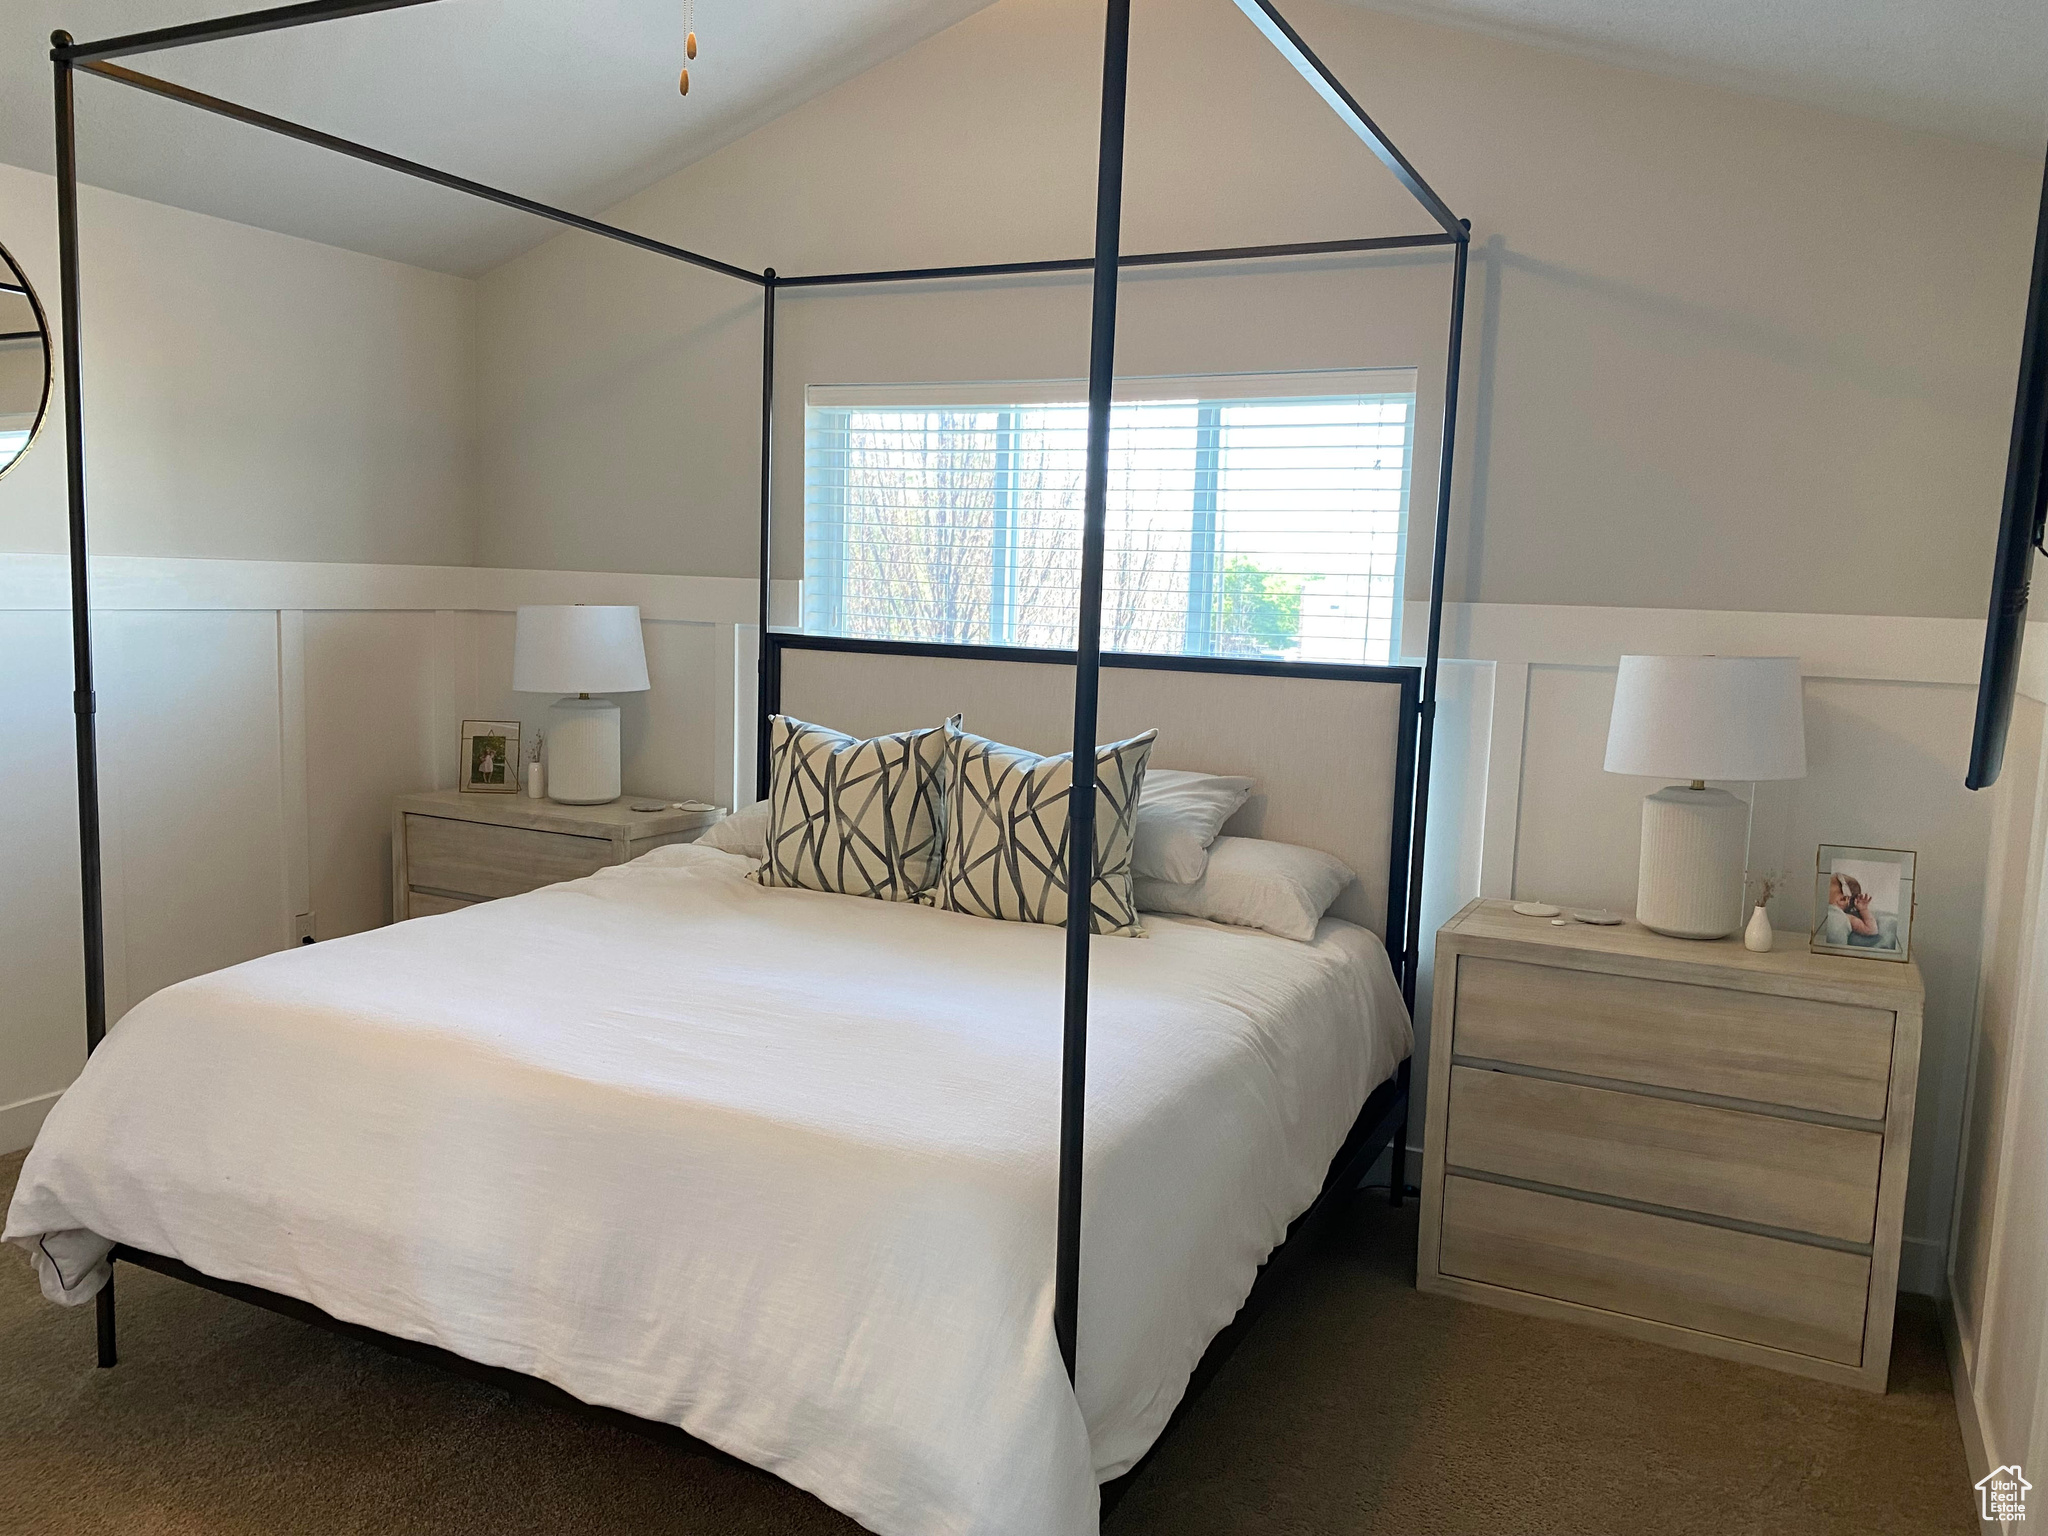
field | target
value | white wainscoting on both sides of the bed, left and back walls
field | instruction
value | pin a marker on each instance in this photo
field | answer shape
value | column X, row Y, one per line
column 259, row 718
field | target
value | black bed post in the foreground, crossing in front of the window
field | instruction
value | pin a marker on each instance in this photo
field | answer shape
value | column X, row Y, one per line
column 1089, row 679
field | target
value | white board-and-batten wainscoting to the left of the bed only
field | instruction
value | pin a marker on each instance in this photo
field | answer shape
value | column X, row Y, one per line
column 255, row 722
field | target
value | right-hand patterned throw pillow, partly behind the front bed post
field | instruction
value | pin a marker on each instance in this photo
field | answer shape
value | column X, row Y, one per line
column 1007, row 833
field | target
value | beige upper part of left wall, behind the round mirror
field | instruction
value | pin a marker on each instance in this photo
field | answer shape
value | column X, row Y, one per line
column 249, row 396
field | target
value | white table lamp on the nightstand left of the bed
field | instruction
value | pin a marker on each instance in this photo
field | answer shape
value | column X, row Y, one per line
column 581, row 652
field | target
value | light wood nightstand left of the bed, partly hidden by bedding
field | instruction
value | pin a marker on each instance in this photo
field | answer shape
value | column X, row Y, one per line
column 454, row 851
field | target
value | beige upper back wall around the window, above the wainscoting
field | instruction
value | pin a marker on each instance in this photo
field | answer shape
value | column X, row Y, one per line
column 1723, row 353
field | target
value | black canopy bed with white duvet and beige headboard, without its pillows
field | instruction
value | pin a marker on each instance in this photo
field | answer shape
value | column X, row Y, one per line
column 804, row 1179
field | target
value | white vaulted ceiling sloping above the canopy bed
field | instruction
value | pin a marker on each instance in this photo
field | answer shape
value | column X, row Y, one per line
column 577, row 103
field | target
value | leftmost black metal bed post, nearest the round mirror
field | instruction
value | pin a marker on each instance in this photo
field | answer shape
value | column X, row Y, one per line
column 83, row 701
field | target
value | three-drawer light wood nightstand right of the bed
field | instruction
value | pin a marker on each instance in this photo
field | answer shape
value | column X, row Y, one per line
column 1674, row 1140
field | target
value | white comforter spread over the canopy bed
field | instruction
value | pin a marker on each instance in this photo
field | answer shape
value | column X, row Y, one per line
column 767, row 1164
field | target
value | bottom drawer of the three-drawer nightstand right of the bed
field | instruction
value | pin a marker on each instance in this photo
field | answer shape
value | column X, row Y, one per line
column 1707, row 1279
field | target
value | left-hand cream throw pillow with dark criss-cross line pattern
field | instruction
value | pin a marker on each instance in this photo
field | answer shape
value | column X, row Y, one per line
column 855, row 818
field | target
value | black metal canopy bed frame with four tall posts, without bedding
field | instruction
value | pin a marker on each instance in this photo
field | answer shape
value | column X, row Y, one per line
column 1383, row 1119
